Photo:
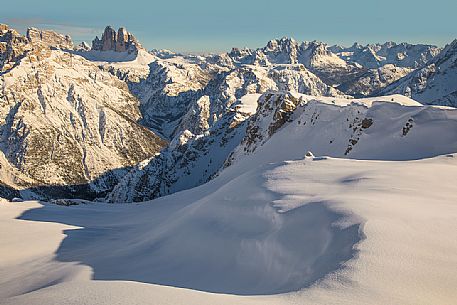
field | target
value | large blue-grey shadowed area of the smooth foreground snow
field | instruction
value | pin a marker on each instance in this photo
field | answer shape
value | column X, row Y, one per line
column 232, row 240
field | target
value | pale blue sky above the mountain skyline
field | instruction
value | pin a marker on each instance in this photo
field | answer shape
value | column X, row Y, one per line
column 213, row 26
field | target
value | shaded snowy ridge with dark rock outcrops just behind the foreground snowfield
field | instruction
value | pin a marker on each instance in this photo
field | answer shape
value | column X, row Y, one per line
column 383, row 128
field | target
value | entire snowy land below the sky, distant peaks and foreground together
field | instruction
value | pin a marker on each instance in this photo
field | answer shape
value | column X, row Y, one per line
column 290, row 168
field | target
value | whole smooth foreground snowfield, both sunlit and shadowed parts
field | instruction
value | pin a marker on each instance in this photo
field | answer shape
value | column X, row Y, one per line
column 339, row 231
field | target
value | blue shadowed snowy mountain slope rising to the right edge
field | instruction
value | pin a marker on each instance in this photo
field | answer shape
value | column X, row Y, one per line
column 435, row 83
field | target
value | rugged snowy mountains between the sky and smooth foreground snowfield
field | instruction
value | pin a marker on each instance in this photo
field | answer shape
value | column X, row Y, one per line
column 114, row 122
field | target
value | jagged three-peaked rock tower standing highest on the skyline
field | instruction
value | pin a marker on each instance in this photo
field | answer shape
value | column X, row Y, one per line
column 121, row 41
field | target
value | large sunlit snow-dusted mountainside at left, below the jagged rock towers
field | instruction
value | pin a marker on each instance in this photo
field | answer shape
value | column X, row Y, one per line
column 75, row 115
